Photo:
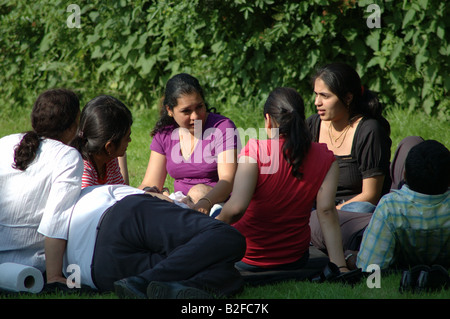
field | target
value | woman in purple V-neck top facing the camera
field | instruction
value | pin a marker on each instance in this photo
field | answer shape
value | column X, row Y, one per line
column 192, row 144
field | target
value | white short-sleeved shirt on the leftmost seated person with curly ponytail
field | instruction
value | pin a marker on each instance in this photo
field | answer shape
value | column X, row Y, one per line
column 36, row 202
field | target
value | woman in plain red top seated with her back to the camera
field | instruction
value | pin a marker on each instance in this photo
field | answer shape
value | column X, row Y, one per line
column 276, row 184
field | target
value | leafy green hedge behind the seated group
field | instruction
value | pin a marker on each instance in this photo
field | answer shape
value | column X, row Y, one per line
column 239, row 49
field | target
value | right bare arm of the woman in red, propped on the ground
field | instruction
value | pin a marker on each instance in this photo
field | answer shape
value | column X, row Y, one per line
column 328, row 217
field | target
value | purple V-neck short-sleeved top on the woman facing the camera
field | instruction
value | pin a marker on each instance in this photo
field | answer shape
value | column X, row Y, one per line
column 218, row 135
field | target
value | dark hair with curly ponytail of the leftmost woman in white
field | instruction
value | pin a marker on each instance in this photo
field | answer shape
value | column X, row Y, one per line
column 54, row 112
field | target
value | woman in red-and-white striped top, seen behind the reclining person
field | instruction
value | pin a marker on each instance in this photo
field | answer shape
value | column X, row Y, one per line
column 102, row 139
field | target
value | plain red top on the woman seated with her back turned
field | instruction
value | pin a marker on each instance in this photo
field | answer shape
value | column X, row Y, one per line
column 276, row 222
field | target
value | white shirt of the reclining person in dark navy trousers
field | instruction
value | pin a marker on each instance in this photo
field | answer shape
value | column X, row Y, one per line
column 93, row 202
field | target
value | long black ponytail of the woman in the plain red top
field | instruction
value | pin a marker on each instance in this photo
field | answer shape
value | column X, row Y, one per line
column 286, row 107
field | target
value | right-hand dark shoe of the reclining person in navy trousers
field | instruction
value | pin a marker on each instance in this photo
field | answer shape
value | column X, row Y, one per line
column 173, row 290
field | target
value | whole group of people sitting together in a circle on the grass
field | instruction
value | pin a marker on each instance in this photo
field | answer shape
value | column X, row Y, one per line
column 318, row 198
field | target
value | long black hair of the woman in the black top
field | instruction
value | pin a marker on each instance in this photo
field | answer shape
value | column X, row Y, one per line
column 342, row 79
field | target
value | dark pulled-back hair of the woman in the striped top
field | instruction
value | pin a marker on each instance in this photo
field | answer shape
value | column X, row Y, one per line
column 103, row 119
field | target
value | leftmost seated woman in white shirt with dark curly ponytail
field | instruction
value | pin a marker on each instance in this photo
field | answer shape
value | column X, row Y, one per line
column 40, row 181
